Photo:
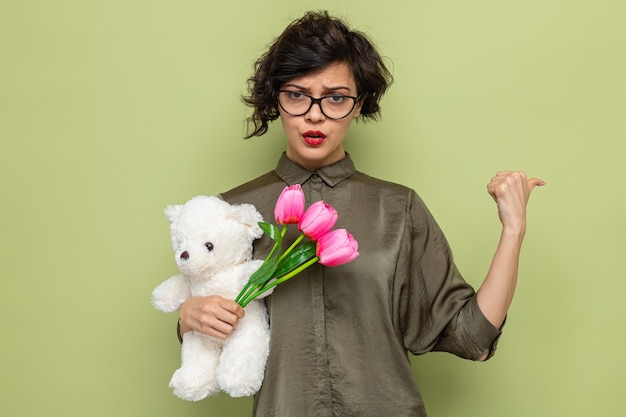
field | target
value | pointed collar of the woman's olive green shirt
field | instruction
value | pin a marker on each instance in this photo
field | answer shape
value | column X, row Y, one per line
column 292, row 173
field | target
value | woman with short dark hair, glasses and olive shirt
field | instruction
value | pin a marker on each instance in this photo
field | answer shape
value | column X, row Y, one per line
column 340, row 336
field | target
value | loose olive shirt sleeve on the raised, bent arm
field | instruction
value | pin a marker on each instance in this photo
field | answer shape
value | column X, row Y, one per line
column 437, row 308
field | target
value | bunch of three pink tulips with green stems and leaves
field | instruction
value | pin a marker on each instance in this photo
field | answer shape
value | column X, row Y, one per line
column 324, row 245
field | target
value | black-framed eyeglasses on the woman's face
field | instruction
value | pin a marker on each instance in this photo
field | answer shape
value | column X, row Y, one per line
column 335, row 106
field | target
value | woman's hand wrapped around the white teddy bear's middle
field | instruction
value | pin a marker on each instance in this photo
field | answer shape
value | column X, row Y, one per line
column 213, row 315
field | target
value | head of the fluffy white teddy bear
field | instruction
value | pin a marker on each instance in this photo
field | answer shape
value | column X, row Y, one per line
column 210, row 235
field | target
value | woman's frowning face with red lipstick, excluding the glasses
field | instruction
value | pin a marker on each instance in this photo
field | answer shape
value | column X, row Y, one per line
column 314, row 140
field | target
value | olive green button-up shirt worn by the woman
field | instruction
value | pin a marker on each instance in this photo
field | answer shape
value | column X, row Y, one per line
column 340, row 335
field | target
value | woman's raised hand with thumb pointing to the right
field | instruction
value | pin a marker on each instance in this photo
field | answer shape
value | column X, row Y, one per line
column 511, row 190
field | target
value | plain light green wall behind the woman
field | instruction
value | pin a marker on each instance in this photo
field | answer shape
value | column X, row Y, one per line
column 110, row 110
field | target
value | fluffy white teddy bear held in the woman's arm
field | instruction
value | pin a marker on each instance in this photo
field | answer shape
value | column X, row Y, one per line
column 212, row 243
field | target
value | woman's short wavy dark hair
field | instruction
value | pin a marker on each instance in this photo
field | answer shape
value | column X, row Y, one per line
column 307, row 45
